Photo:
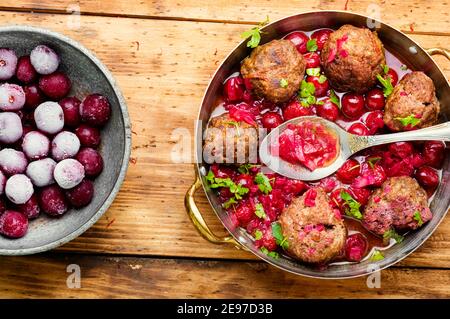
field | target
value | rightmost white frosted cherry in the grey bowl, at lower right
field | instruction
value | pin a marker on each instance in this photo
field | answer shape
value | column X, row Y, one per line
column 68, row 173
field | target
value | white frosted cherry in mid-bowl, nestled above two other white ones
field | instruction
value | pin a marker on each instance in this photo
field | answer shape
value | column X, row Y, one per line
column 49, row 117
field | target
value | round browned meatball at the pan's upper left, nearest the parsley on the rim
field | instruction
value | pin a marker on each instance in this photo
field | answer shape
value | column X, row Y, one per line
column 275, row 70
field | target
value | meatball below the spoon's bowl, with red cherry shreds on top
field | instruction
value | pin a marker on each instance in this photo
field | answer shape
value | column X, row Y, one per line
column 316, row 234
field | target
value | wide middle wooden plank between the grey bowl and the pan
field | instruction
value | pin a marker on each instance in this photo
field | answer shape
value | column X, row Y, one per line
column 163, row 80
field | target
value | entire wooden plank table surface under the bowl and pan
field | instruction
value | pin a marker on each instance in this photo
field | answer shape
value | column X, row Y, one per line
column 163, row 53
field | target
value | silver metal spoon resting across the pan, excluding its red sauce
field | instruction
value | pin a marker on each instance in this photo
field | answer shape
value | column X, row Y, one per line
column 348, row 144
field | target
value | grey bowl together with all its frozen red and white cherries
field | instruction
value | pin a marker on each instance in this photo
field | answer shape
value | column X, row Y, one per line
column 64, row 140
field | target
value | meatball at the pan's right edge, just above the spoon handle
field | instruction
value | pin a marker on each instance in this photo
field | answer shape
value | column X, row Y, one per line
column 414, row 96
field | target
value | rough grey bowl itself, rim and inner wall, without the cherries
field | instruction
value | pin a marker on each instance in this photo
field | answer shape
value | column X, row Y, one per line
column 88, row 76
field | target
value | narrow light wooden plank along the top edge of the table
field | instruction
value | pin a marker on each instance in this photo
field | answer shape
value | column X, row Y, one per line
column 418, row 15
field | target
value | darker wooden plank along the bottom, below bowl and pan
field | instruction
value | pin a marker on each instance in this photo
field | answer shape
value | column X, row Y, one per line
column 102, row 277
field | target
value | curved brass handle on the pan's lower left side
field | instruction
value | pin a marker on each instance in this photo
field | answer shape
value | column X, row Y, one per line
column 197, row 218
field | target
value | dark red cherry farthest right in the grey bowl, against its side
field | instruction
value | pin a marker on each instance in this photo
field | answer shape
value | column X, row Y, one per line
column 95, row 110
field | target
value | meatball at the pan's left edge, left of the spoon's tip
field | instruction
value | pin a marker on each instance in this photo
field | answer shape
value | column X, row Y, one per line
column 230, row 141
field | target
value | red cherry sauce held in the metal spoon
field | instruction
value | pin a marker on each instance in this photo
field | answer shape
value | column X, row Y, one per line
column 308, row 143
